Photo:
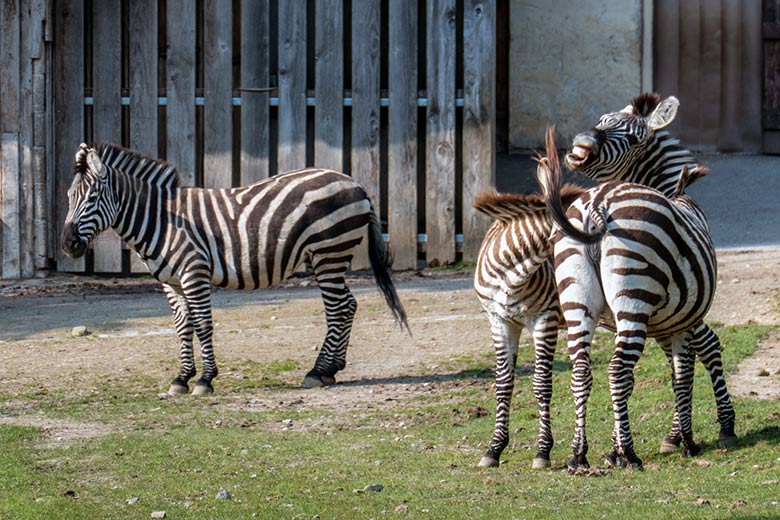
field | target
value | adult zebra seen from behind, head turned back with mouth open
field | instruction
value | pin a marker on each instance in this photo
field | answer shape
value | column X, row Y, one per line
column 648, row 247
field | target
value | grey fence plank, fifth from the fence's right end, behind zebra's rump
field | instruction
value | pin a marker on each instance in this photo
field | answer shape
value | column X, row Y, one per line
column 329, row 87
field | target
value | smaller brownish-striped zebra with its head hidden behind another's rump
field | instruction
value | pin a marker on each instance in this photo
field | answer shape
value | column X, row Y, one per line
column 515, row 283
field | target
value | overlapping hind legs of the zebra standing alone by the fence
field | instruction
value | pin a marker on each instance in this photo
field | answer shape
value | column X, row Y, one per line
column 340, row 308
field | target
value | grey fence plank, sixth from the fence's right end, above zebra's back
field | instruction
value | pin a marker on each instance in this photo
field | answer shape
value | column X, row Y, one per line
column 292, row 85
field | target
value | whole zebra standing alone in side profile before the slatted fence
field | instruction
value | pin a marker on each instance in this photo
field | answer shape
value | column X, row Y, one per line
column 241, row 238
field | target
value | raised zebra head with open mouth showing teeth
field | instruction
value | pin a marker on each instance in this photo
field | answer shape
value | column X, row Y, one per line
column 620, row 139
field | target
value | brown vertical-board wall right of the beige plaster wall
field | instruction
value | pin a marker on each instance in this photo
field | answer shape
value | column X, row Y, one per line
column 708, row 54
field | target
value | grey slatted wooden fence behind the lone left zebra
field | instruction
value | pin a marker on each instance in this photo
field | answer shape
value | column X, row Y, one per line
column 397, row 93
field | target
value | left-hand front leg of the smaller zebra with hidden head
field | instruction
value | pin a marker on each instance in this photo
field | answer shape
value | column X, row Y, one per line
column 505, row 338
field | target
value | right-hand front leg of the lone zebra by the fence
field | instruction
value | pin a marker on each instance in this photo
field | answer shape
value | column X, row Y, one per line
column 197, row 291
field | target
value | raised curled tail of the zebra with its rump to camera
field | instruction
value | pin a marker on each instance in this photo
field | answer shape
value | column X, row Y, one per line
column 550, row 177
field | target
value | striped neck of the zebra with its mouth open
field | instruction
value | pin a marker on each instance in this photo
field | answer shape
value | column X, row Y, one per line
column 662, row 164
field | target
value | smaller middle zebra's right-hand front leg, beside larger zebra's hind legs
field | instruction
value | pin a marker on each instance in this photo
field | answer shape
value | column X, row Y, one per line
column 545, row 335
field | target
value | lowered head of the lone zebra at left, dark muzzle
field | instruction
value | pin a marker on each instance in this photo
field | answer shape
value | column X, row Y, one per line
column 91, row 205
